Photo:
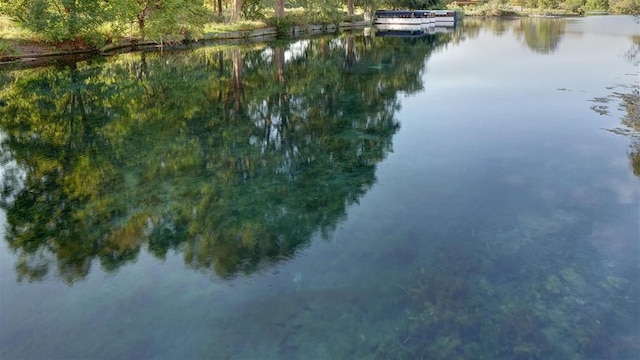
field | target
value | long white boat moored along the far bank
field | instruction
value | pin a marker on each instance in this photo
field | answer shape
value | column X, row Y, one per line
column 415, row 17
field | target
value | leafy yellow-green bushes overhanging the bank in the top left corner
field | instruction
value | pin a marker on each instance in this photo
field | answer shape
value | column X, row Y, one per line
column 91, row 22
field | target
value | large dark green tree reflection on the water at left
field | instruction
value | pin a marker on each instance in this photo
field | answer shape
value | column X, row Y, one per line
column 234, row 157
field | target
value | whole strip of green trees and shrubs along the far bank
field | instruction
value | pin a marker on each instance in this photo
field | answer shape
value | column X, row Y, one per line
column 96, row 22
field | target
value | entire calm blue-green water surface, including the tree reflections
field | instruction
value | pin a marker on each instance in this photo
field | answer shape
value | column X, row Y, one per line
column 463, row 195
